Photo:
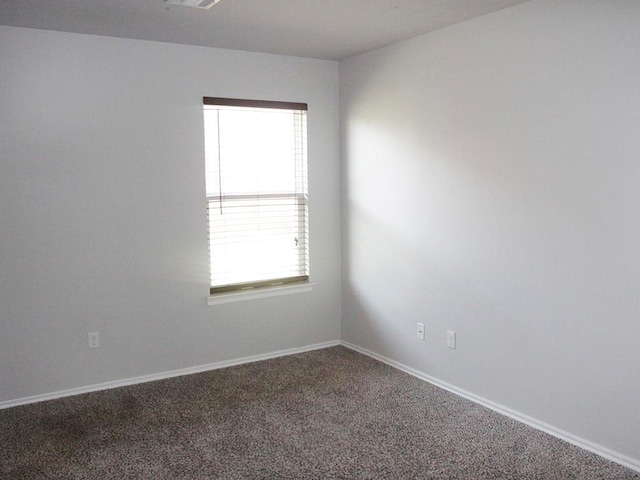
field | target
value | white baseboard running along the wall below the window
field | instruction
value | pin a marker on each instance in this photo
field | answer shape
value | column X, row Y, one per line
column 164, row 375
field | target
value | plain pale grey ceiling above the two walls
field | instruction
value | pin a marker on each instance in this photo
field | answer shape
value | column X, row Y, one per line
column 327, row 29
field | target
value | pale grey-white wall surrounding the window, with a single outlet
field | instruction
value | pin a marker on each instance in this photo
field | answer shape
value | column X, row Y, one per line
column 102, row 218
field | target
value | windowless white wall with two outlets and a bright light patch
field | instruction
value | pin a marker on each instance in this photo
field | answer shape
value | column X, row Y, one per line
column 491, row 186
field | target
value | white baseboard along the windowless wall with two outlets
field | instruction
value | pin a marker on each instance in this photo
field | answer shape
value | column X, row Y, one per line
column 532, row 422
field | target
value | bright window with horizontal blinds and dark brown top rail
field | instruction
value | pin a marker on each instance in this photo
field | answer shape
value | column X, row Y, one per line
column 256, row 183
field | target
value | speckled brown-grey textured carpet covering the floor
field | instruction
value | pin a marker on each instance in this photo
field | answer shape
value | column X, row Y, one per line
column 330, row 413
